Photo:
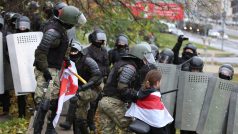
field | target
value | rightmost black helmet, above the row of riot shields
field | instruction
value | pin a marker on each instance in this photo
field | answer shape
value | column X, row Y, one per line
column 226, row 72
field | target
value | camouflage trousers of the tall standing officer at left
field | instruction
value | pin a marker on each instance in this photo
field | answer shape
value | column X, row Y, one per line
column 53, row 89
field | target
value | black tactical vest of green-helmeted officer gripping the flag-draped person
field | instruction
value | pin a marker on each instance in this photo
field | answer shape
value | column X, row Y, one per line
column 110, row 88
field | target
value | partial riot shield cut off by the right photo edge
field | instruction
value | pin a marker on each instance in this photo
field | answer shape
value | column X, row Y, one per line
column 232, row 124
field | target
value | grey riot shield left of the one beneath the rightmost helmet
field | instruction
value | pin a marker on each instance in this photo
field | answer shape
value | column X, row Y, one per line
column 192, row 88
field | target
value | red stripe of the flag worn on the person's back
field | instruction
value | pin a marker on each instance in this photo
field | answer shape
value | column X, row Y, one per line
column 151, row 102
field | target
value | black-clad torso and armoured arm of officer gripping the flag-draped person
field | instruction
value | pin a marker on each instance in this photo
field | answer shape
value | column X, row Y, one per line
column 122, row 75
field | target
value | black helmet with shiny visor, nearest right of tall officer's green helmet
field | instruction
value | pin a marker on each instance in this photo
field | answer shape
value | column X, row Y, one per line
column 97, row 35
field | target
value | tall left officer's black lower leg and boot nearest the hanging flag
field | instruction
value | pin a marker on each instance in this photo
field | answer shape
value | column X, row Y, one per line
column 50, row 128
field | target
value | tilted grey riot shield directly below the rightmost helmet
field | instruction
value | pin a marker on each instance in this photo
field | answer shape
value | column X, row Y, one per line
column 213, row 116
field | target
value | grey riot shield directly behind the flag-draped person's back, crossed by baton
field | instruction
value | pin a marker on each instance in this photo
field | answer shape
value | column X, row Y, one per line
column 168, row 83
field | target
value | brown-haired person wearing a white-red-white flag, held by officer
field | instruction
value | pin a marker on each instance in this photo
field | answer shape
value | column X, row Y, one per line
column 150, row 109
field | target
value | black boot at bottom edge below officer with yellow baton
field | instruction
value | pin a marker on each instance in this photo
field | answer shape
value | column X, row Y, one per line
column 80, row 126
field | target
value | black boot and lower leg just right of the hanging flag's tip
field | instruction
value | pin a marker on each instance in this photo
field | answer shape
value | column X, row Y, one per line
column 70, row 116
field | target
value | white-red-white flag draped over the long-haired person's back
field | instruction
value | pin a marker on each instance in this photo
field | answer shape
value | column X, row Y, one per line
column 151, row 110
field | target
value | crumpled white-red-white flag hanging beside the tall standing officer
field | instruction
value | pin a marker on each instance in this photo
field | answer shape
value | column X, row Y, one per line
column 68, row 88
